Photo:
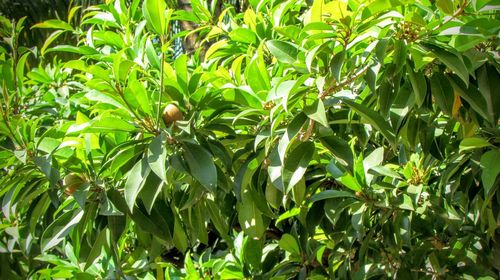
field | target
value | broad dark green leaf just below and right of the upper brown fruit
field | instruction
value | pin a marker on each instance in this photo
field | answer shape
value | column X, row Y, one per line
column 201, row 165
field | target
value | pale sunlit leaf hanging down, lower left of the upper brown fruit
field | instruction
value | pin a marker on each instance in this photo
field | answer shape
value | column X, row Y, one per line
column 135, row 181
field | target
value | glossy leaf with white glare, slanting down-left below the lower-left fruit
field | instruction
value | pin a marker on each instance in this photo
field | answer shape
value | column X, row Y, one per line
column 57, row 231
